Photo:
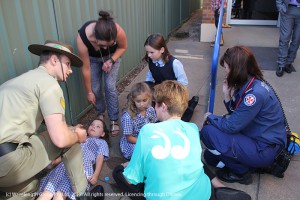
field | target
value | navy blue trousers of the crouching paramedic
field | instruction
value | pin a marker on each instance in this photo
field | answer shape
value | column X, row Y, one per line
column 241, row 154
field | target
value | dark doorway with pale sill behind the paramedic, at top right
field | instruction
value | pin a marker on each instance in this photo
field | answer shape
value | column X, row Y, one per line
column 252, row 12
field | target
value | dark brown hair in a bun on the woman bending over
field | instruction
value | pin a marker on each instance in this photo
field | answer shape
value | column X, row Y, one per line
column 105, row 28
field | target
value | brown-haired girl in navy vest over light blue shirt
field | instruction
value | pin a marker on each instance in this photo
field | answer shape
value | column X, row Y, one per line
column 163, row 66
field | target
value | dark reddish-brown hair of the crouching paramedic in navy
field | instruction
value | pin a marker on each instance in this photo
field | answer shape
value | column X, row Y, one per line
column 242, row 64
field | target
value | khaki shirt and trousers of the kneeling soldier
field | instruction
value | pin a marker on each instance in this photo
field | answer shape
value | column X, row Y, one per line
column 24, row 101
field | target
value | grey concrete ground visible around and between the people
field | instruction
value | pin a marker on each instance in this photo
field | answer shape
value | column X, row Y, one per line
column 196, row 57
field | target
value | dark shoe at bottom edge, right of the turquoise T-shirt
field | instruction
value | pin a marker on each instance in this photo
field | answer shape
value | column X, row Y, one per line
column 225, row 193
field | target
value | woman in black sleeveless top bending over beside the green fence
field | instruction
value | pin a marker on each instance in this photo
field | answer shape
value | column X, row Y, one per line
column 101, row 43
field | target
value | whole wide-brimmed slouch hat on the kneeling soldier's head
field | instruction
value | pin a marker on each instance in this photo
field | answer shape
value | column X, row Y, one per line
column 59, row 47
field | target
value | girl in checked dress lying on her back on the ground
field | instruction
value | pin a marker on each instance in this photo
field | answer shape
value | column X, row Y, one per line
column 95, row 150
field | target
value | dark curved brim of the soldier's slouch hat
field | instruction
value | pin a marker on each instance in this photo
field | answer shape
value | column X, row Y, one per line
column 37, row 49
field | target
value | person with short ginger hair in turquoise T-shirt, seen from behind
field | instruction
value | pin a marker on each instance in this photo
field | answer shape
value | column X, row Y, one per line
column 168, row 168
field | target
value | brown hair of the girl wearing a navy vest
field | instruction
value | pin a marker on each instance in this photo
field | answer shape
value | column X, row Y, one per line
column 157, row 41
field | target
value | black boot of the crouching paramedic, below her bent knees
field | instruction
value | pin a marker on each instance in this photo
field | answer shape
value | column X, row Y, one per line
column 226, row 175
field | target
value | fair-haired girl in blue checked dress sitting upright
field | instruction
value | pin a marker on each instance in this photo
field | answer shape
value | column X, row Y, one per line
column 137, row 113
